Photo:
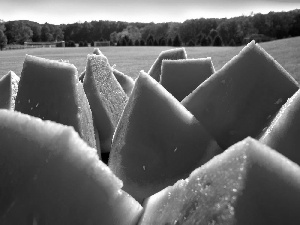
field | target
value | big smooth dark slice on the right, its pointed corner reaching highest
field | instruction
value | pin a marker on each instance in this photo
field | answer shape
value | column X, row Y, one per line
column 240, row 99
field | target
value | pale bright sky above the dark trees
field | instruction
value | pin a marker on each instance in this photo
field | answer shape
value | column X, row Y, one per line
column 63, row 11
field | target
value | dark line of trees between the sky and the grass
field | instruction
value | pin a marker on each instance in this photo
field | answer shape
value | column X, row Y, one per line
column 195, row 32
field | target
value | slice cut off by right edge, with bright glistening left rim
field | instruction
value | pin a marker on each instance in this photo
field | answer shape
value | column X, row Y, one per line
column 284, row 132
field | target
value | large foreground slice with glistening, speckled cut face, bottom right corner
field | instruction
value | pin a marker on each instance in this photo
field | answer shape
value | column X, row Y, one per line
column 247, row 184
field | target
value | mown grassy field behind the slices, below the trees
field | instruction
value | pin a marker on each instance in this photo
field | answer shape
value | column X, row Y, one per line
column 130, row 60
